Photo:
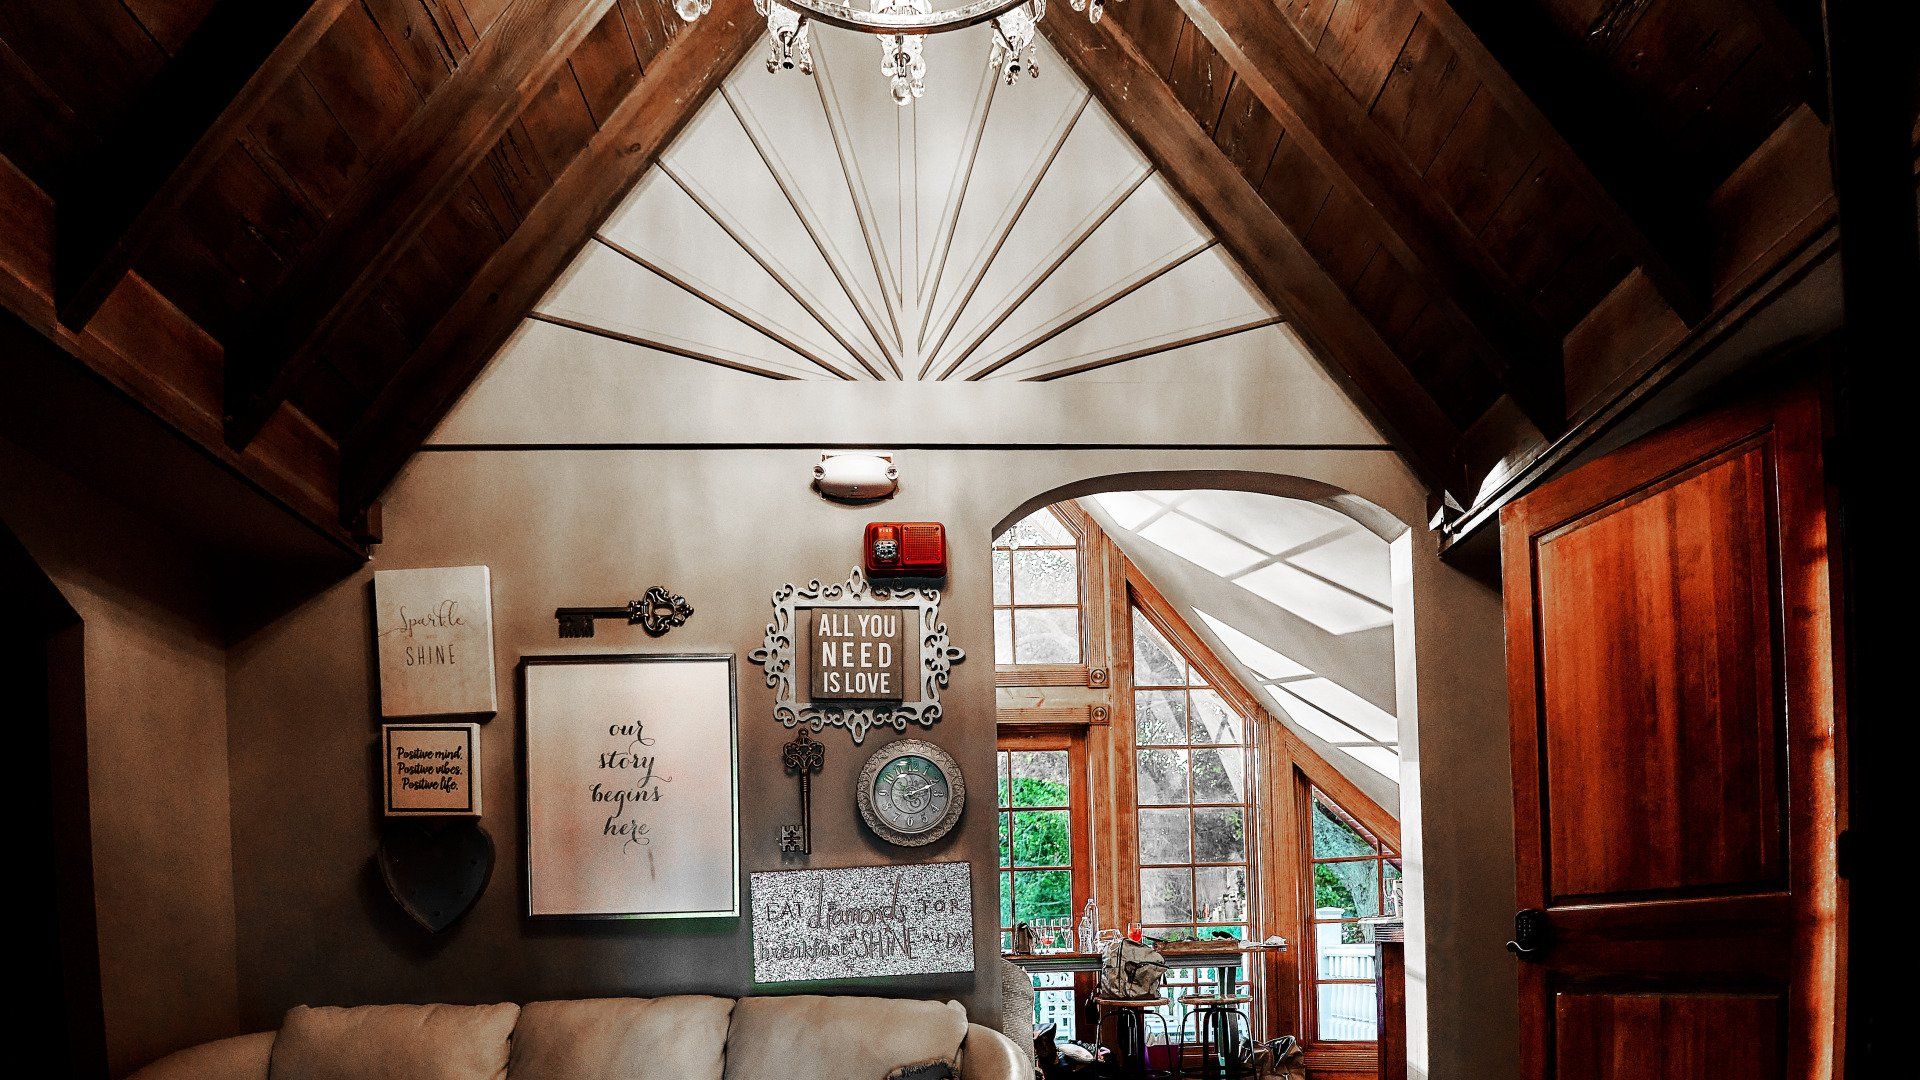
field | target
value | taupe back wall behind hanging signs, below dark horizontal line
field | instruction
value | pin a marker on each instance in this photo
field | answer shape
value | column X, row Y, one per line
column 727, row 528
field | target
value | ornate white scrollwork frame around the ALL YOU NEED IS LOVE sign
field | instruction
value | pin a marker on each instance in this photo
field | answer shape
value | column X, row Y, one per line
column 786, row 670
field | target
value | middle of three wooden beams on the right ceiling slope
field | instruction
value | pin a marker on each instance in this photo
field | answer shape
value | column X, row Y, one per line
column 1416, row 224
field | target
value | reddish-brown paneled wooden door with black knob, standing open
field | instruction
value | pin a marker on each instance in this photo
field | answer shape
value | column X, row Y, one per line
column 1675, row 756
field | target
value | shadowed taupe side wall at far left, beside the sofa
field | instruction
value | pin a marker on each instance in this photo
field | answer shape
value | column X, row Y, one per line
column 156, row 725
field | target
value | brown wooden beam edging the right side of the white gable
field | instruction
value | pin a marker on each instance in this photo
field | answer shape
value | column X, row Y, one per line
column 1264, row 247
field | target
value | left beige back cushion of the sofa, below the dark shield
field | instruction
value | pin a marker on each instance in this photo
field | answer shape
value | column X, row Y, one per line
column 395, row 1043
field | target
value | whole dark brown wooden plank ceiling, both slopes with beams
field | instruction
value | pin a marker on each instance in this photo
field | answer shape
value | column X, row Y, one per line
column 1491, row 220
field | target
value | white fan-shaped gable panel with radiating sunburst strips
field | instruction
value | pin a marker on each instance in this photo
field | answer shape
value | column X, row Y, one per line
column 813, row 230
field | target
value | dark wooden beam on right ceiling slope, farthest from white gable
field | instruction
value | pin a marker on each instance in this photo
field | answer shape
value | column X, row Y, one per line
column 1612, row 166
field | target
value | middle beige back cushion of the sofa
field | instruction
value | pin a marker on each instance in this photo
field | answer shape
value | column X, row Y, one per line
column 621, row 1039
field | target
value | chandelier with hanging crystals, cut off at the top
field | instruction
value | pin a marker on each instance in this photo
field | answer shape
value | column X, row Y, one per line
column 901, row 26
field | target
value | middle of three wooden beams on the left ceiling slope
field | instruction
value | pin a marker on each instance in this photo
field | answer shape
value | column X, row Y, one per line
column 429, row 162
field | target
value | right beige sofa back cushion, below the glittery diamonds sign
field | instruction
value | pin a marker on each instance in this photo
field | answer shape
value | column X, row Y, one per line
column 838, row 1039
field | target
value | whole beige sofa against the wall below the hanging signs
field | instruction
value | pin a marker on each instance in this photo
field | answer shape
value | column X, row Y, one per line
column 613, row 1039
